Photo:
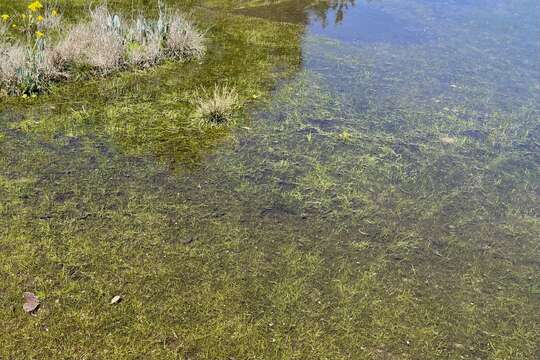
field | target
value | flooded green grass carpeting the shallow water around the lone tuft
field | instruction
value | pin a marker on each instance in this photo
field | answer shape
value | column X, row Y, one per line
column 382, row 204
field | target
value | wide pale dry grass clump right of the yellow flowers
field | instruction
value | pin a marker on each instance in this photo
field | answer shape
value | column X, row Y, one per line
column 99, row 44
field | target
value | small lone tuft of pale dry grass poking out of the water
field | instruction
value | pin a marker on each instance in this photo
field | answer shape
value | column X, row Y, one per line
column 217, row 107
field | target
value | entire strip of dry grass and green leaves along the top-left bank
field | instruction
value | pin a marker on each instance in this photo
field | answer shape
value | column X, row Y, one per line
column 105, row 43
